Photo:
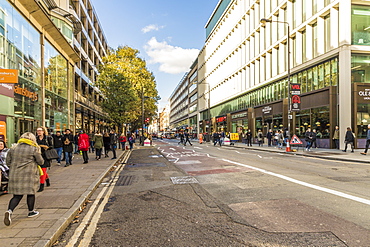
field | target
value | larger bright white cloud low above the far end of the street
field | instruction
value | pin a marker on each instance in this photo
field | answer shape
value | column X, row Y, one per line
column 172, row 59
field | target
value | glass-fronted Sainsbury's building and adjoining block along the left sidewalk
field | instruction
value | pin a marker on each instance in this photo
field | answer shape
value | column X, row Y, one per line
column 52, row 46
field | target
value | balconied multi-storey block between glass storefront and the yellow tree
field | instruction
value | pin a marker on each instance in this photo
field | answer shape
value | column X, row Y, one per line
column 91, row 45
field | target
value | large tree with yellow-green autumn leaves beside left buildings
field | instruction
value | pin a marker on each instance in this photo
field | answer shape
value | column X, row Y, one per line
column 126, row 84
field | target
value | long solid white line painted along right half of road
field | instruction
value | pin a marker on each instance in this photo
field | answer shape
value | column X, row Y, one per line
column 312, row 186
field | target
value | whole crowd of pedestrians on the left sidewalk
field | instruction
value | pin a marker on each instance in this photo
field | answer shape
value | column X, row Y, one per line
column 24, row 166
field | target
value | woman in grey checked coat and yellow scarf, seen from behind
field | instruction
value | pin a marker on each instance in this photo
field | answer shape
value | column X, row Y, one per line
column 23, row 160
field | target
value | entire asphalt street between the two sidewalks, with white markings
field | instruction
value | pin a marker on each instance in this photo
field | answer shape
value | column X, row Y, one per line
column 231, row 197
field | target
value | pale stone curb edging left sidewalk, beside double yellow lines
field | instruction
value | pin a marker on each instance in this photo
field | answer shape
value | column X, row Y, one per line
column 52, row 235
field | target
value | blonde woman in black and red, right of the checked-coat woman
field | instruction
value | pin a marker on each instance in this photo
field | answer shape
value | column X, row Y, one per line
column 45, row 142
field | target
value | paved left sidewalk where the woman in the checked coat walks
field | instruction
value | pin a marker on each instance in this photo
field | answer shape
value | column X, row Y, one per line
column 58, row 204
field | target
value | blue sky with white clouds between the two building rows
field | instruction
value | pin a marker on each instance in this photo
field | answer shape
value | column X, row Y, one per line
column 168, row 33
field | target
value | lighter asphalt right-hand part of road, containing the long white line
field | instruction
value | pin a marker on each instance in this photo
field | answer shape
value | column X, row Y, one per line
column 284, row 193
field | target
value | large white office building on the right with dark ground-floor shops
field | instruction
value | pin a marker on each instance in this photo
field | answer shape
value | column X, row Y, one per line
column 245, row 64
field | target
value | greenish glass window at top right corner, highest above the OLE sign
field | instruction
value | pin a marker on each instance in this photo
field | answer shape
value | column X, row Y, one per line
column 360, row 25
